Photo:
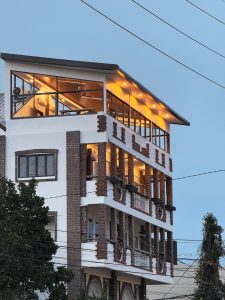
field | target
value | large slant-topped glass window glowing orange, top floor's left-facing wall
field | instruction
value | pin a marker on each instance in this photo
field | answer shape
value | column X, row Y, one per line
column 36, row 95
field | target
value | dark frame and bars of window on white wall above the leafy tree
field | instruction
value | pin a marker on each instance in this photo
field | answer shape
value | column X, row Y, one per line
column 35, row 153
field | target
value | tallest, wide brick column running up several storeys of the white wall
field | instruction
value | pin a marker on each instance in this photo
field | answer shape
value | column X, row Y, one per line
column 73, row 212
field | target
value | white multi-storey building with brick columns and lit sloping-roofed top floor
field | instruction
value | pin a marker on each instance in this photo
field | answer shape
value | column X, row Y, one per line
column 98, row 142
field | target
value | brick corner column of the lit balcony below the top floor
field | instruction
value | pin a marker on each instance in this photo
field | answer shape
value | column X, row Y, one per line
column 101, row 181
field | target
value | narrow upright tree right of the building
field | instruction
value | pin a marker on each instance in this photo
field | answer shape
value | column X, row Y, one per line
column 209, row 285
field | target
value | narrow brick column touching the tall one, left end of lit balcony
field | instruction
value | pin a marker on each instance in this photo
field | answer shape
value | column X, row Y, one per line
column 83, row 169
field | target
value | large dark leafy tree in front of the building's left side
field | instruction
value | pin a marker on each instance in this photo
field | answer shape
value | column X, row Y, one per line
column 26, row 247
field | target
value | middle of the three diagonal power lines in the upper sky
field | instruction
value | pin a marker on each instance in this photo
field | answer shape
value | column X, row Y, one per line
column 178, row 30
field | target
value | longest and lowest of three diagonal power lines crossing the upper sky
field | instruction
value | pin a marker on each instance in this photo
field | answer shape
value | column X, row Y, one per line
column 152, row 46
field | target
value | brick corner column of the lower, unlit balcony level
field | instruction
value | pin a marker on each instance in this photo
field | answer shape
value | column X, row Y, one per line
column 102, row 239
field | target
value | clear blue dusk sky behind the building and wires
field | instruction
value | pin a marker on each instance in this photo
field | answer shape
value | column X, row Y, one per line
column 71, row 30
